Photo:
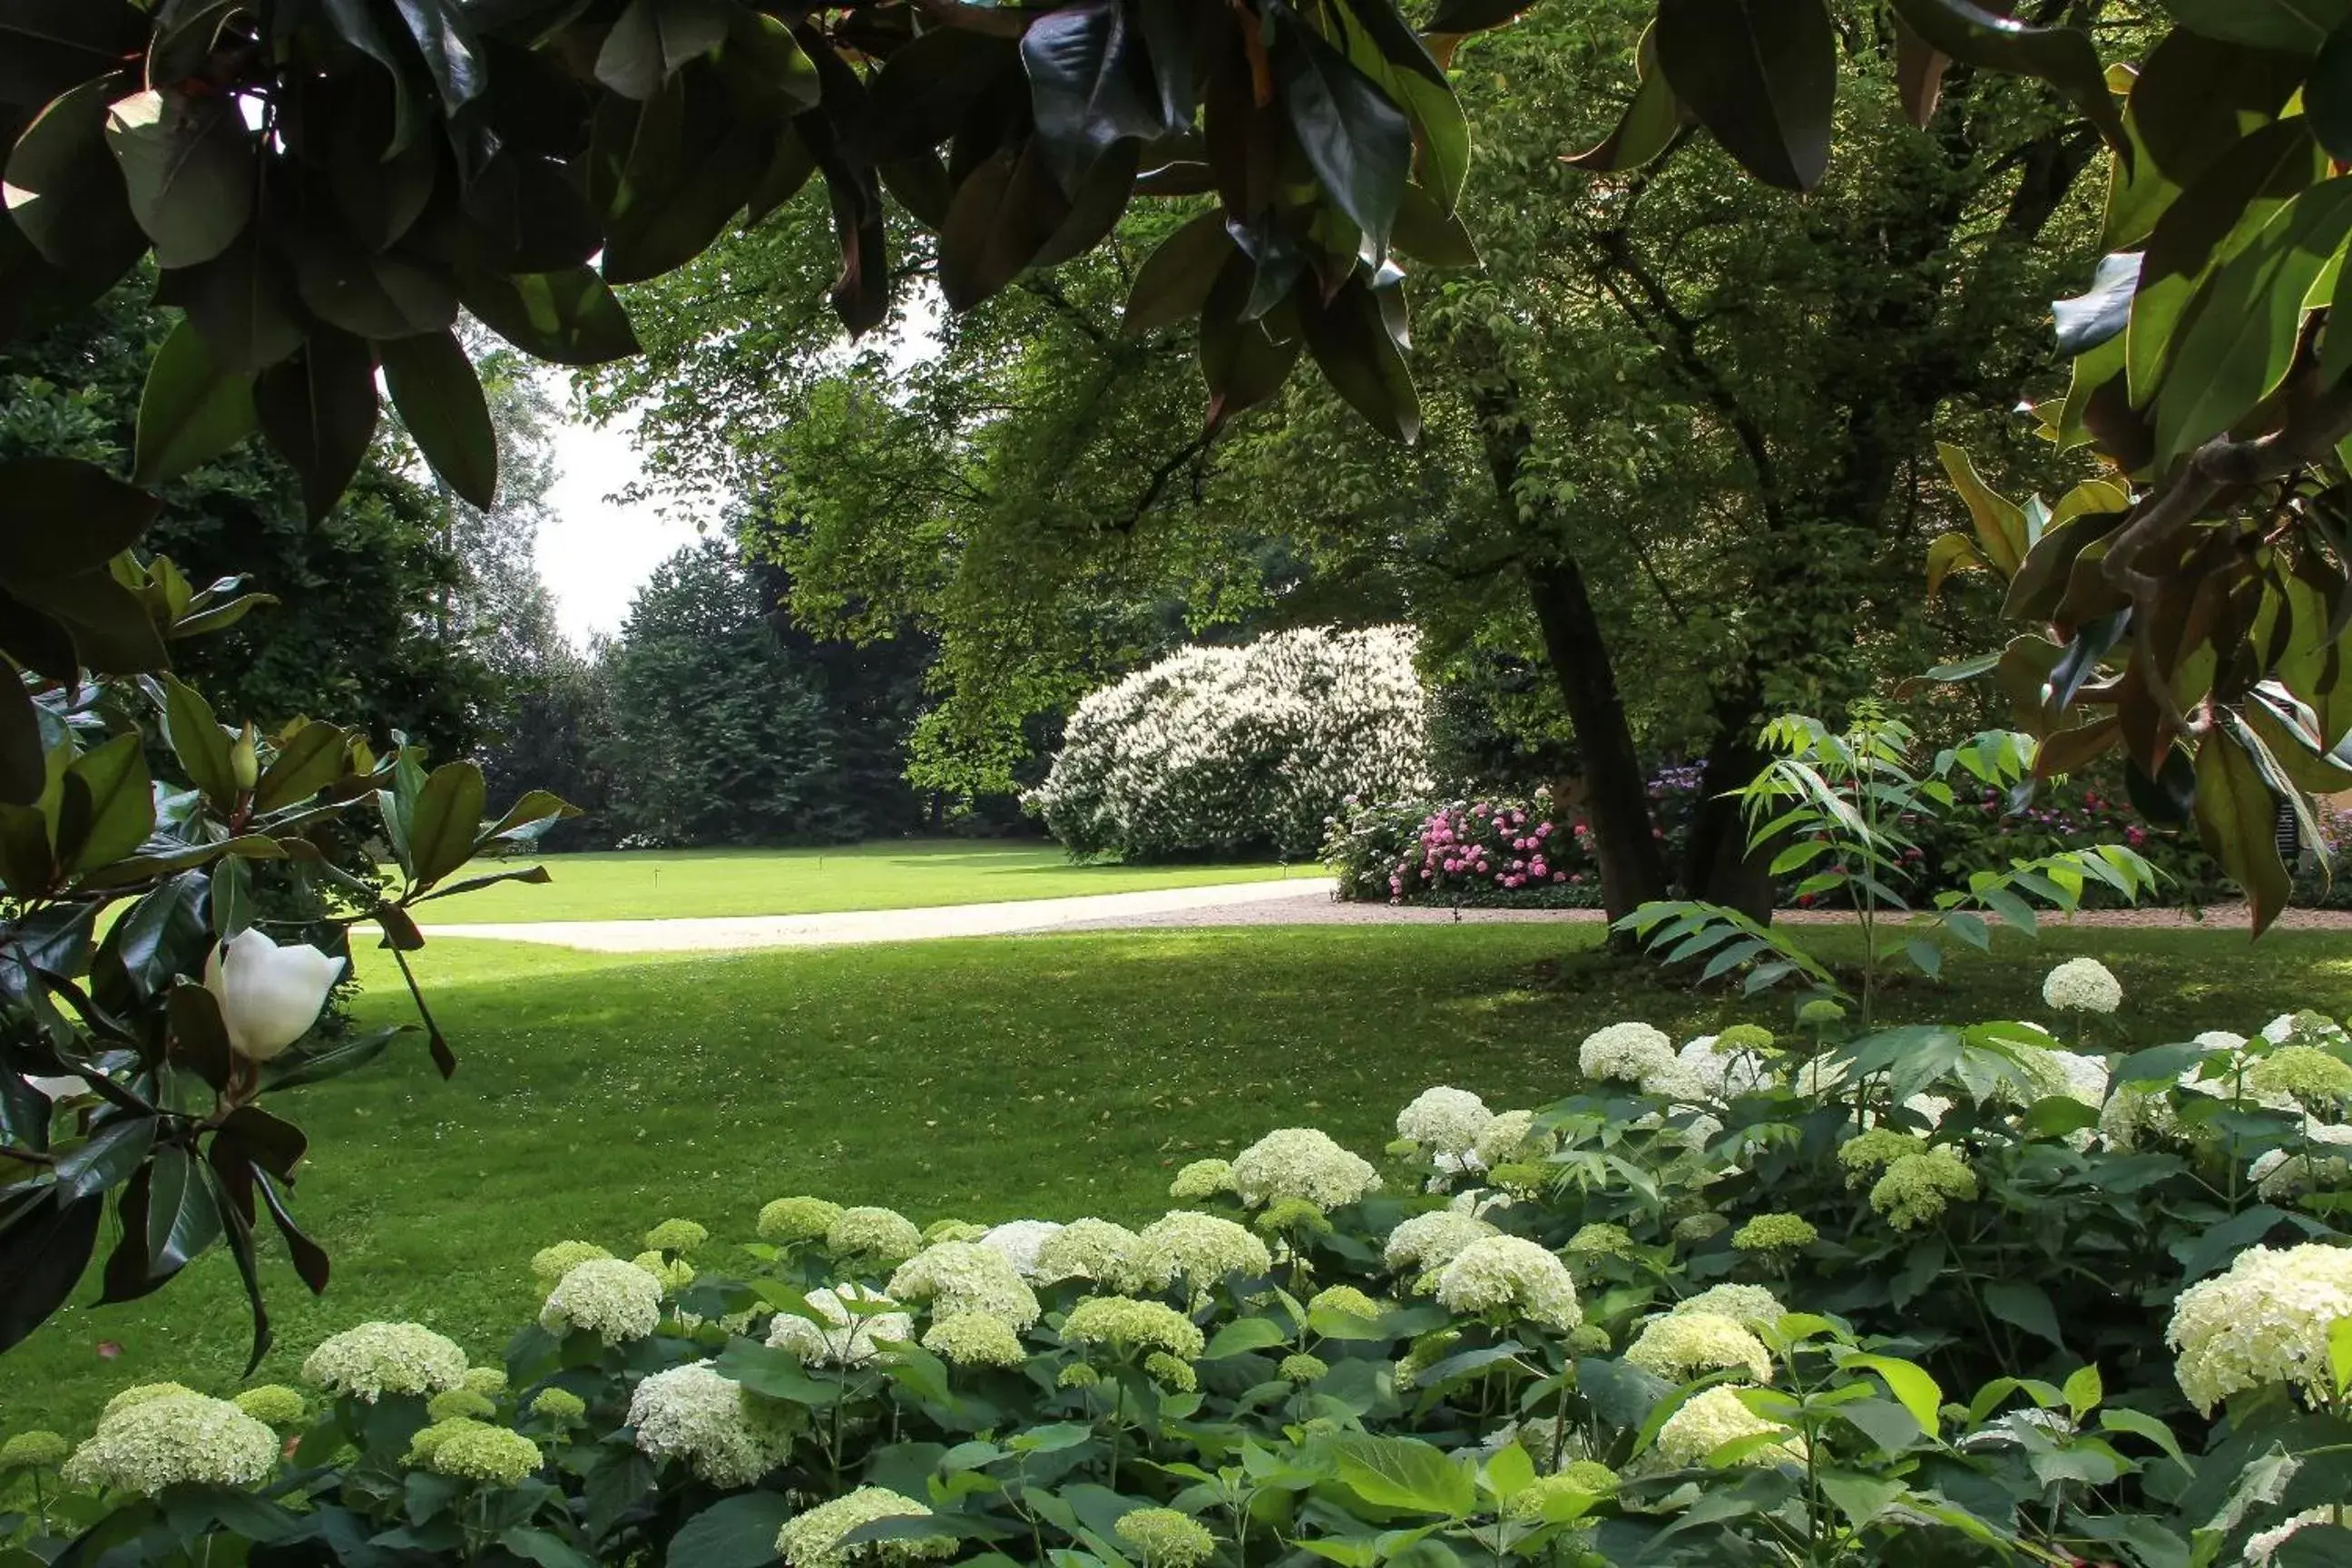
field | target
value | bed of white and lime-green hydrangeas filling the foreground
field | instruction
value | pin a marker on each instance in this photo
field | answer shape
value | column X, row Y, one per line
column 1975, row 1294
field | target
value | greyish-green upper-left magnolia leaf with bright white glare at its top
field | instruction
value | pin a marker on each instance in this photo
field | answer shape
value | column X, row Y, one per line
column 189, row 170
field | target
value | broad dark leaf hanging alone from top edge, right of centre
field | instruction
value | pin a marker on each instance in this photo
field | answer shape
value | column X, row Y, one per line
column 1760, row 76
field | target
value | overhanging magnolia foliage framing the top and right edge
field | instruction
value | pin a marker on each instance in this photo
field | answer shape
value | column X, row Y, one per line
column 326, row 187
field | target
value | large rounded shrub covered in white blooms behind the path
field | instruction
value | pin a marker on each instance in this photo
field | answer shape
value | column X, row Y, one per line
column 1241, row 749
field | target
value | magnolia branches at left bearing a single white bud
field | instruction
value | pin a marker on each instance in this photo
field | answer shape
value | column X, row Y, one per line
column 149, row 1024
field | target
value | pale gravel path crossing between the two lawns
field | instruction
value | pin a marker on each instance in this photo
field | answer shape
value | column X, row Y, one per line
column 1236, row 904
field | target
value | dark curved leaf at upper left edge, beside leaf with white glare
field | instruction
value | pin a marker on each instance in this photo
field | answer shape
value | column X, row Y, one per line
column 65, row 192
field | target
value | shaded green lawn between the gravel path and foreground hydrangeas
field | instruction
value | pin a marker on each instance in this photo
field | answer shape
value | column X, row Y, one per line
column 984, row 1080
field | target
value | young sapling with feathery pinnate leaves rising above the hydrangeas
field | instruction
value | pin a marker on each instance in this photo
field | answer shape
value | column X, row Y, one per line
column 1840, row 808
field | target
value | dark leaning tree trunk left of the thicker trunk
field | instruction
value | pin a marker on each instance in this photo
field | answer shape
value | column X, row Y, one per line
column 1617, row 796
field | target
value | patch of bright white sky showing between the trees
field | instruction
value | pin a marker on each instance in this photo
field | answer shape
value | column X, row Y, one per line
column 594, row 554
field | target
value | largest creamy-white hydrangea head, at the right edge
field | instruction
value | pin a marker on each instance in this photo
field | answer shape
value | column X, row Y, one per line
column 2266, row 1320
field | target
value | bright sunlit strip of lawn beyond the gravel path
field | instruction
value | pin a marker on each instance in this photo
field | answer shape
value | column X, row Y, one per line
column 888, row 876
